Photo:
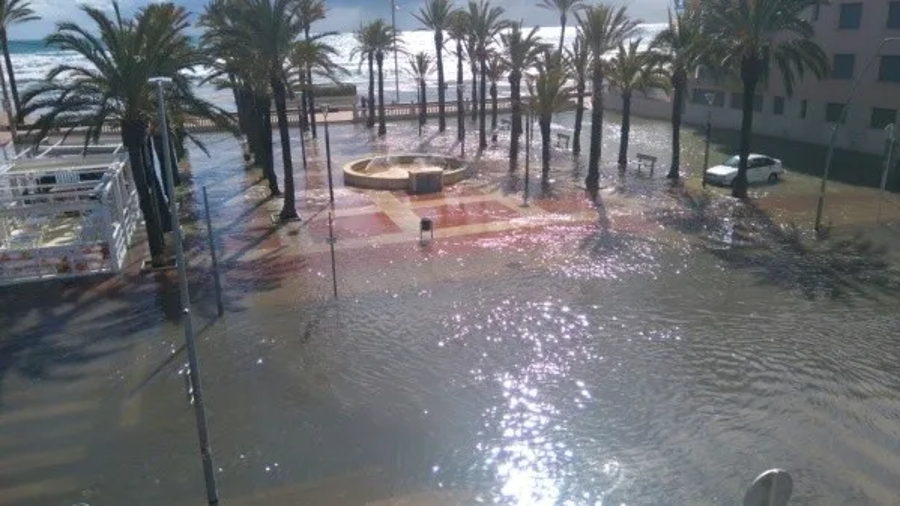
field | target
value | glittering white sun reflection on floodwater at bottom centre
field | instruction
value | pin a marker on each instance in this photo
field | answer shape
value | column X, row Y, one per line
column 526, row 440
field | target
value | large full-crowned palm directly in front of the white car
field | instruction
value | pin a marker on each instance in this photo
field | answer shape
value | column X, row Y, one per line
column 752, row 35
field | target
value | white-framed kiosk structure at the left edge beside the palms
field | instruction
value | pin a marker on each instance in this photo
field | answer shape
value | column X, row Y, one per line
column 66, row 212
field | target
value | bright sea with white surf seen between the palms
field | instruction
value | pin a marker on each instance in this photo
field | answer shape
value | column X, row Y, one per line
column 33, row 59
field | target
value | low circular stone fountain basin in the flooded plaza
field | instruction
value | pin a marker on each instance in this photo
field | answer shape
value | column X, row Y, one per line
column 398, row 172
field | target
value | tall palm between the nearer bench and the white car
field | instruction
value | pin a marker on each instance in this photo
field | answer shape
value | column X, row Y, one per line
column 681, row 48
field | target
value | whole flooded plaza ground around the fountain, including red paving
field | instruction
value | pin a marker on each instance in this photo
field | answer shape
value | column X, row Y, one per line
column 648, row 345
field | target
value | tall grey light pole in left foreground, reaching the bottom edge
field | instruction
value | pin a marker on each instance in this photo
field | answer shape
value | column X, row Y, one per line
column 212, row 492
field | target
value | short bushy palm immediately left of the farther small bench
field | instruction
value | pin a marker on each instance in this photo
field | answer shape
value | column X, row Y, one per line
column 551, row 94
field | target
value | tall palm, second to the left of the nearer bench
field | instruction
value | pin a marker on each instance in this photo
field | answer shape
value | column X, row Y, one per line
column 603, row 28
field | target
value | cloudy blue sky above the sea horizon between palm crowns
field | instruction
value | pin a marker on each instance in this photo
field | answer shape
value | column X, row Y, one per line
column 343, row 15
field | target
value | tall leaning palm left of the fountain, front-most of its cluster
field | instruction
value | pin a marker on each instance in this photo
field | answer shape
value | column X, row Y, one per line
column 267, row 30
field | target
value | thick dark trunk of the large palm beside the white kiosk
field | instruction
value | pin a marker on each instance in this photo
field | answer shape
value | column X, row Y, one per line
column 133, row 139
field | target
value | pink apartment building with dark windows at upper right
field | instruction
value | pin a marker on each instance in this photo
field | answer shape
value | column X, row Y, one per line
column 850, row 32
